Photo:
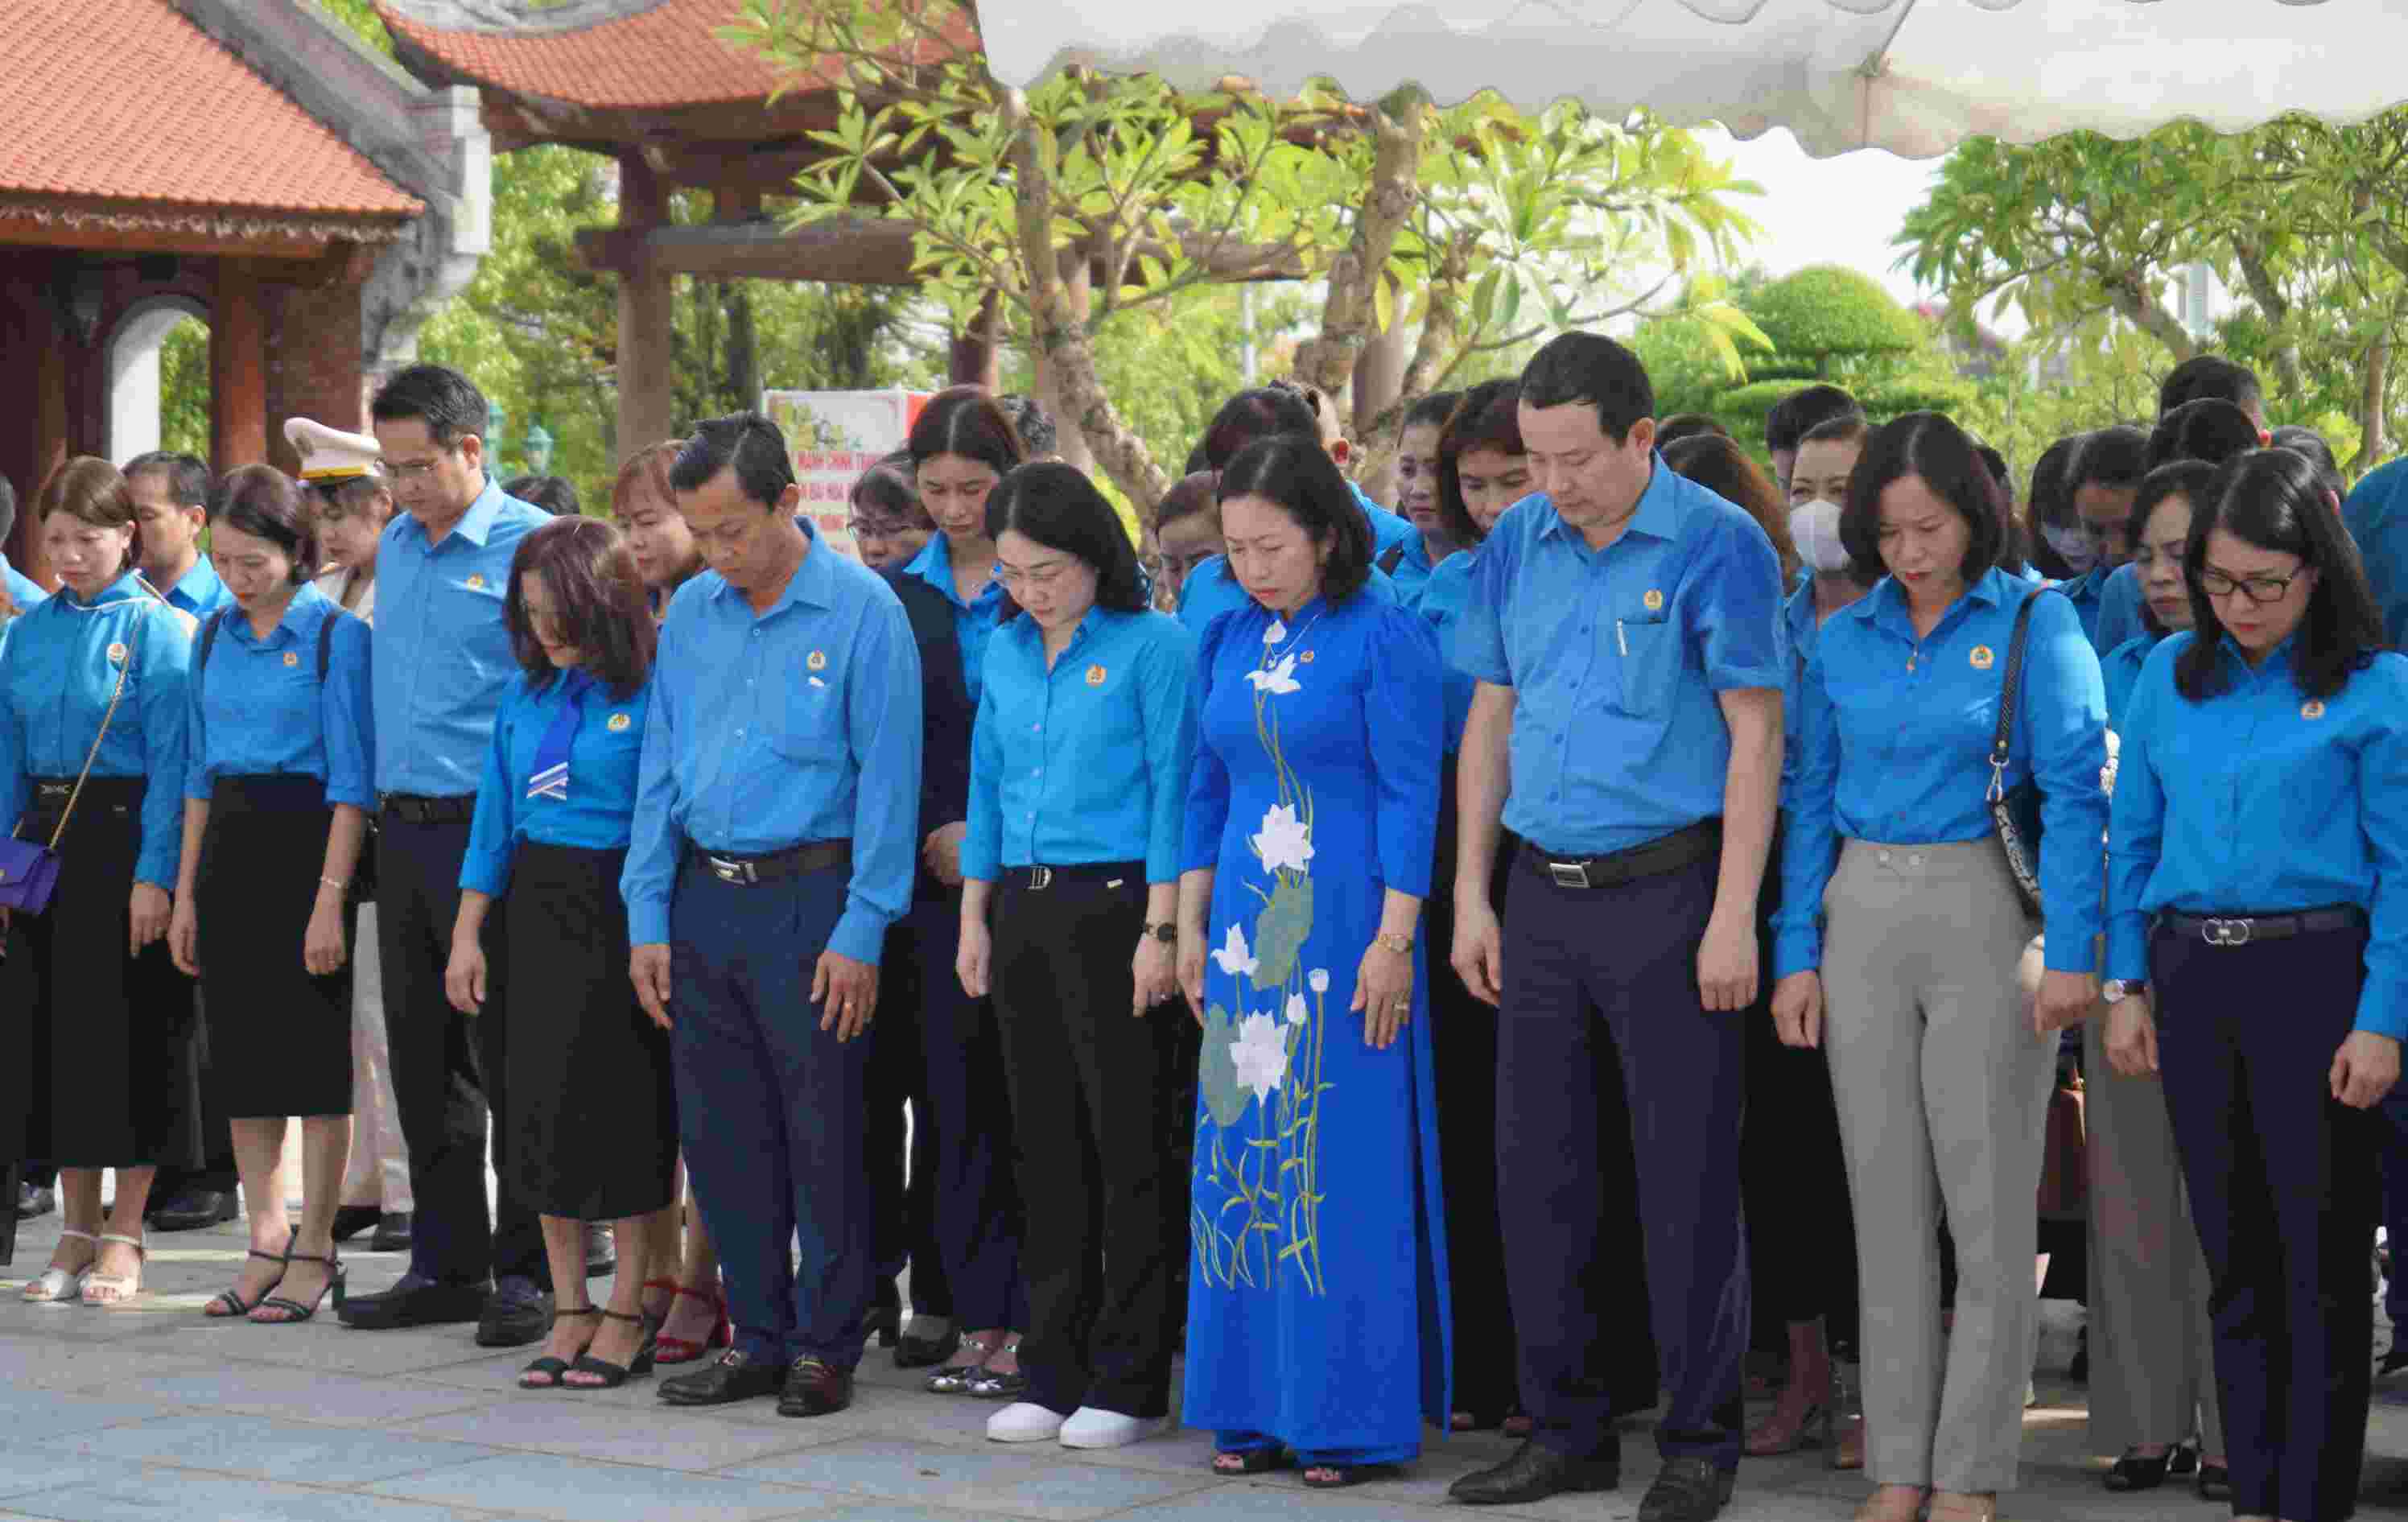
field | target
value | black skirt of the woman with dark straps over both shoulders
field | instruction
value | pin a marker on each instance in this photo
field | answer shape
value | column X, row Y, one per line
column 281, row 1039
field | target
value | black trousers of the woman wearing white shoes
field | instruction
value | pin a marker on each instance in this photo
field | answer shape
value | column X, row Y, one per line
column 1090, row 1082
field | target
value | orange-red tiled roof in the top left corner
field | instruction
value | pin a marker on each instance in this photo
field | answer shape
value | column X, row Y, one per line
column 129, row 102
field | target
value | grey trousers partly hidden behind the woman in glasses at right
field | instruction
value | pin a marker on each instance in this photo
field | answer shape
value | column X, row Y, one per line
column 2152, row 1343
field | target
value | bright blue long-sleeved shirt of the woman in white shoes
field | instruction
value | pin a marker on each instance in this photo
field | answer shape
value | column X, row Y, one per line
column 1087, row 762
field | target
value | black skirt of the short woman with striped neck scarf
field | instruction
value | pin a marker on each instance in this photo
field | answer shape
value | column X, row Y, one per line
column 594, row 1109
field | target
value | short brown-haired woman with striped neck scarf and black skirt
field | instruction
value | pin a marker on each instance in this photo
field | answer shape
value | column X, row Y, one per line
column 598, row 1116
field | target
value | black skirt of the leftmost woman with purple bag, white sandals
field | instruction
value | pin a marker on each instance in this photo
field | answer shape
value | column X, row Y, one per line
column 114, row 1051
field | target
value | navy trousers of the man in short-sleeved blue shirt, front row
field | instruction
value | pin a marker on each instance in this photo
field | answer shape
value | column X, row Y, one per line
column 1593, row 974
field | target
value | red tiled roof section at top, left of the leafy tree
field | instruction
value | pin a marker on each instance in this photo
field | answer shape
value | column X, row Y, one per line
column 666, row 57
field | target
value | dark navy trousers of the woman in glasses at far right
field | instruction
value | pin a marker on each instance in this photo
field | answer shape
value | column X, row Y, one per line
column 2282, row 1186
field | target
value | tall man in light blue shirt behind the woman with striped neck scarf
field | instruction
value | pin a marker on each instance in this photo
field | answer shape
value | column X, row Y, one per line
column 442, row 661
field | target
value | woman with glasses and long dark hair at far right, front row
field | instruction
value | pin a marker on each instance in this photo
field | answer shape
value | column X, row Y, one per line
column 2257, row 933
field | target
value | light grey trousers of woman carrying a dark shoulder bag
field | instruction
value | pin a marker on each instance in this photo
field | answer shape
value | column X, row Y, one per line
column 1942, row 1095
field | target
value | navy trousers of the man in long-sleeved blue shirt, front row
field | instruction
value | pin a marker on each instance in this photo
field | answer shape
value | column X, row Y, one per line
column 772, row 1114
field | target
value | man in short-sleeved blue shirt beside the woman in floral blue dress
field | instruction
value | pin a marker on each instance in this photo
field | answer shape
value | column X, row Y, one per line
column 1624, row 637
